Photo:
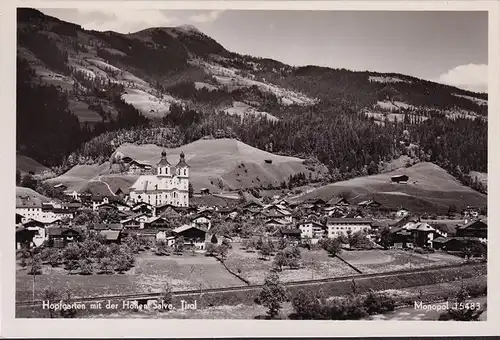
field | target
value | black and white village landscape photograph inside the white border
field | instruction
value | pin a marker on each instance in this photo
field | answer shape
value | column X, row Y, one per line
column 251, row 164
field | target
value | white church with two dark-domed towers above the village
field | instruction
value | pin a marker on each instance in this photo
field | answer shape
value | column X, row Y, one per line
column 170, row 185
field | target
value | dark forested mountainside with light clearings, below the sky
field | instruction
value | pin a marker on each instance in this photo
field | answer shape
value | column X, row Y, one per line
column 172, row 86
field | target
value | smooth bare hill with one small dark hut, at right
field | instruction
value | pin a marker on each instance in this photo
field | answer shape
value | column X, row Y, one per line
column 429, row 189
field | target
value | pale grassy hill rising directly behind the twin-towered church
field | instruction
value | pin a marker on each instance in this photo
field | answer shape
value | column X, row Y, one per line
column 209, row 161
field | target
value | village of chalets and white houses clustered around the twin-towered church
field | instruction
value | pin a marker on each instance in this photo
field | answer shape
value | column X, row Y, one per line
column 158, row 210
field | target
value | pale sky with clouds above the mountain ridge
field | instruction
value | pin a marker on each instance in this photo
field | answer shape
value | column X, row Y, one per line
column 442, row 46
